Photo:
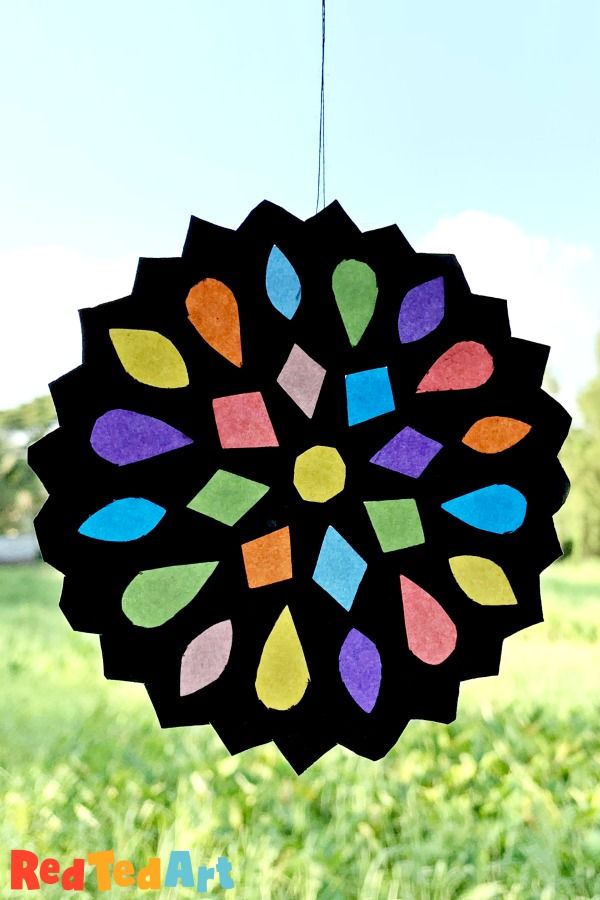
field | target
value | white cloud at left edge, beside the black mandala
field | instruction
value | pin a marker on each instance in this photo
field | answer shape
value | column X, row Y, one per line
column 41, row 289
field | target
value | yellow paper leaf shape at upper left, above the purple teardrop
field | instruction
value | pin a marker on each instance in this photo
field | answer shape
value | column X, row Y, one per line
column 149, row 357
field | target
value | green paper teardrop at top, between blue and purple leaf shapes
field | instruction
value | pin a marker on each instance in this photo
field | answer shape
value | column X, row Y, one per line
column 355, row 290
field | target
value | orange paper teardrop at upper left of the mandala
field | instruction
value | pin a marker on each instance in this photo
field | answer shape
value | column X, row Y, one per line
column 213, row 311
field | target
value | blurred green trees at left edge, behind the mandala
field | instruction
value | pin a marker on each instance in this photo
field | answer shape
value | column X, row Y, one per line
column 21, row 493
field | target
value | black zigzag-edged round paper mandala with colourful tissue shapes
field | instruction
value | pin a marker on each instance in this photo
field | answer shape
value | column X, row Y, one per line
column 303, row 483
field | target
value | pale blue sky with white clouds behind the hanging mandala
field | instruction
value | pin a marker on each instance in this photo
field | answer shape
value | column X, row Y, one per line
column 472, row 125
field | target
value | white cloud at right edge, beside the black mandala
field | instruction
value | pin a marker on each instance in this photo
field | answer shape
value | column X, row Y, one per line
column 551, row 287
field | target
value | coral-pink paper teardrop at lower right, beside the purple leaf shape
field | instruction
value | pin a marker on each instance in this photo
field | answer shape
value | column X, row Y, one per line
column 430, row 631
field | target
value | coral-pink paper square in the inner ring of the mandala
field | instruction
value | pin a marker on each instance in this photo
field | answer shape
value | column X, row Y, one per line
column 243, row 421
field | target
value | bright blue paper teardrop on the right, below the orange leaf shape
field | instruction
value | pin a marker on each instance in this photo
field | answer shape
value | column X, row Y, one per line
column 499, row 508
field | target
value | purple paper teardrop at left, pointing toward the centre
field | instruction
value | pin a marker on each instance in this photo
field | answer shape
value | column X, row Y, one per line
column 122, row 436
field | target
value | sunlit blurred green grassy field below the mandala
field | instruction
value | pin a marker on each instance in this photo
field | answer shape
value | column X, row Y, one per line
column 504, row 803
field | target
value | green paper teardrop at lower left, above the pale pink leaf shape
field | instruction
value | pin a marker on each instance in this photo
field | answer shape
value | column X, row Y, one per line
column 154, row 596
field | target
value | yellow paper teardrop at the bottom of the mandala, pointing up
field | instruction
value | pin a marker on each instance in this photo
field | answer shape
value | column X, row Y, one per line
column 282, row 675
